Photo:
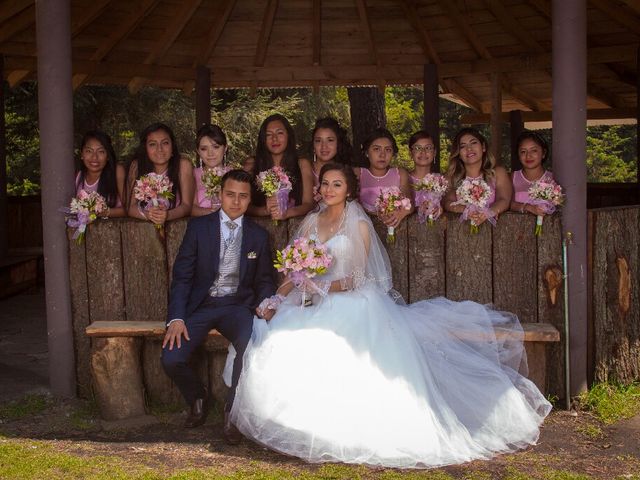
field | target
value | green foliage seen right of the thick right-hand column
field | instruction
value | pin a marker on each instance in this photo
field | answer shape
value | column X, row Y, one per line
column 610, row 154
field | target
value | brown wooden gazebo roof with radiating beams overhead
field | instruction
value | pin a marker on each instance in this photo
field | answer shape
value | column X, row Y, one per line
column 285, row 43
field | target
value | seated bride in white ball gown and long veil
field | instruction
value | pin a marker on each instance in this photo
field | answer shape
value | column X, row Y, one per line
column 359, row 378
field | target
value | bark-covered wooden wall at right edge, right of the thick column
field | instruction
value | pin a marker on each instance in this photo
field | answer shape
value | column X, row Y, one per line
column 615, row 295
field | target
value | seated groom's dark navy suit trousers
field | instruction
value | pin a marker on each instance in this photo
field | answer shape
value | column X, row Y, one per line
column 234, row 322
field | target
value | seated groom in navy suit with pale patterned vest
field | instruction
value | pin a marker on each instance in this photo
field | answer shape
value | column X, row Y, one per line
column 223, row 270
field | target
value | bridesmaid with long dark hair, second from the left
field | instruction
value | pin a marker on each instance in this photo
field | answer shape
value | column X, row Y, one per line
column 158, row 152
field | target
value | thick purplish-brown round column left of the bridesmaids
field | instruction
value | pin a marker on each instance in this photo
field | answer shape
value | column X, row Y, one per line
column 55, row 109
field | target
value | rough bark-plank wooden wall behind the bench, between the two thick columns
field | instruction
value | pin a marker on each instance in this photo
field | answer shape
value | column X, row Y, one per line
column 122, row 270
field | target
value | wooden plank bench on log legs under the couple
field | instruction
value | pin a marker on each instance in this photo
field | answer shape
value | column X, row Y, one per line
column 125, row 364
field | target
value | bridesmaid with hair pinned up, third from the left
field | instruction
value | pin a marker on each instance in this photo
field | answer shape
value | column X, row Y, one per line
column 211, row 146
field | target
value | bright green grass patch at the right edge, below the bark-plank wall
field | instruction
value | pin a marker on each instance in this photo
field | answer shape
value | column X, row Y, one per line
column 612, row 402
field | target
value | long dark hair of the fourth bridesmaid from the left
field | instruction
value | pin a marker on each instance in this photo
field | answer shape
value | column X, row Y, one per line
column 264, row 160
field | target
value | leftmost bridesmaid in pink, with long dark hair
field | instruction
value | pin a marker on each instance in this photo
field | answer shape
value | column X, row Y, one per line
column 100, row 172
